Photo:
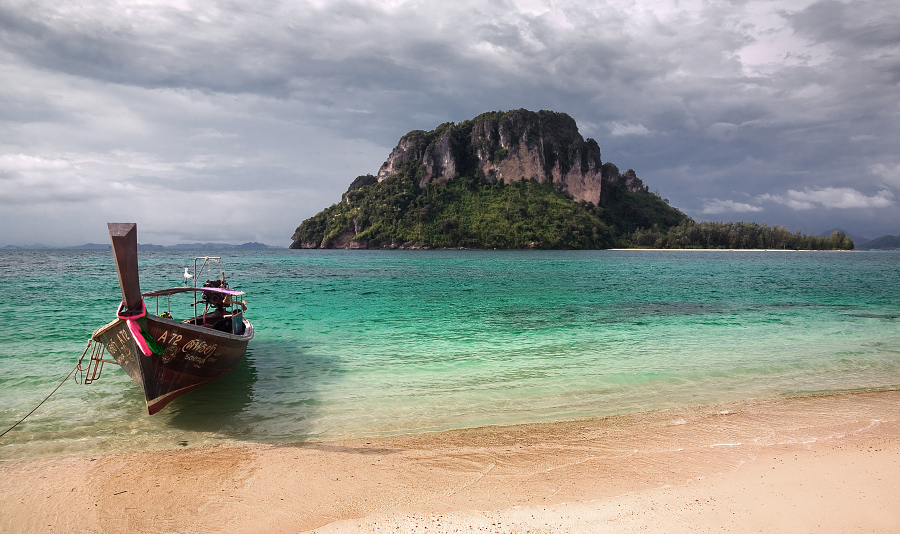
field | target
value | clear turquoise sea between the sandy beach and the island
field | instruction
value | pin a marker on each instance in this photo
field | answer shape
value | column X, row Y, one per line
column 355, row 344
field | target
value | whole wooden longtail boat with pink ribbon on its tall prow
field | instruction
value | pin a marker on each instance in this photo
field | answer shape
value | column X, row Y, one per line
column 165, row 356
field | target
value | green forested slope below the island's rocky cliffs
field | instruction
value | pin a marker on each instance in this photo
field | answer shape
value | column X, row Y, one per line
column 464, row 213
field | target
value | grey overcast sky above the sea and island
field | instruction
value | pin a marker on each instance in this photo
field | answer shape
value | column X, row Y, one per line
column 234, row 121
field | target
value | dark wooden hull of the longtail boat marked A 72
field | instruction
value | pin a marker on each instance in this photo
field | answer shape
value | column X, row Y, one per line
column 193, row 356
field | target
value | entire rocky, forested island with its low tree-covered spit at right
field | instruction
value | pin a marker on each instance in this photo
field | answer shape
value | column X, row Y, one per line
column 516, row 180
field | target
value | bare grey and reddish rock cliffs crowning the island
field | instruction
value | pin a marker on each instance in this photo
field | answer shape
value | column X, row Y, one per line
column 505, row 147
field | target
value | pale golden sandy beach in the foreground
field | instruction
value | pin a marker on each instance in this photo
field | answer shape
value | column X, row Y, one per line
column 825, row 463
